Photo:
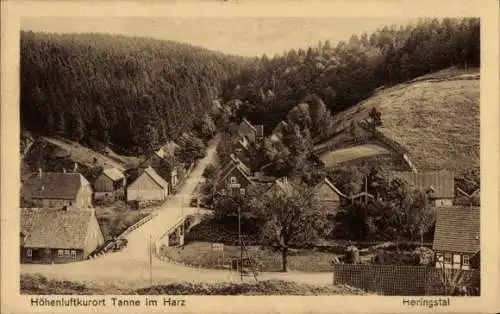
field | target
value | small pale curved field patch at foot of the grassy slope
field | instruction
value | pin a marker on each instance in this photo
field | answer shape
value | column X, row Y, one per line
column 331, row 158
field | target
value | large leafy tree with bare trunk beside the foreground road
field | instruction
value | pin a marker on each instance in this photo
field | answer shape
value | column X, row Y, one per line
column 289, row 218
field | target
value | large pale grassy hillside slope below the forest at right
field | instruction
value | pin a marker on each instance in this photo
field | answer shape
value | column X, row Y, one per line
column 435, row 117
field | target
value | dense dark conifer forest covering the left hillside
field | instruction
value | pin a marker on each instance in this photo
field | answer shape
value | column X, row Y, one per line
column 130, row 93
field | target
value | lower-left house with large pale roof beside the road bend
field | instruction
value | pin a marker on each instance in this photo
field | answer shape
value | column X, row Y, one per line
column 58, row 235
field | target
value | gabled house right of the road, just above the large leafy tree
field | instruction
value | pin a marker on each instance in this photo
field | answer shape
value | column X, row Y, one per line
column 234, row 179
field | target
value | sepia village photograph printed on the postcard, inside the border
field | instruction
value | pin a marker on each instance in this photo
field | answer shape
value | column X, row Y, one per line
column 176, row 156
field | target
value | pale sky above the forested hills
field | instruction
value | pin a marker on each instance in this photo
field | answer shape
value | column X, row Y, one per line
column 240, row 36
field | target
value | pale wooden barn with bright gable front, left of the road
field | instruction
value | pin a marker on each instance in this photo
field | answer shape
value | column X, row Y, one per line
column 149, row 186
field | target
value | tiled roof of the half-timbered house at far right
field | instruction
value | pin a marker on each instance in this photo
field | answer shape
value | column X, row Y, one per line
column 457, row 229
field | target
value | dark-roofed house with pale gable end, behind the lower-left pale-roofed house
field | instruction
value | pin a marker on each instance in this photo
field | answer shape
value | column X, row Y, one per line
column 56, row 189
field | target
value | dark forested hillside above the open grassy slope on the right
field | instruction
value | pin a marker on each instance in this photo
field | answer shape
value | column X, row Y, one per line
column 348, row 72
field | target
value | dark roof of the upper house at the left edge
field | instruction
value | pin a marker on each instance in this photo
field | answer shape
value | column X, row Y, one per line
column 53, row 185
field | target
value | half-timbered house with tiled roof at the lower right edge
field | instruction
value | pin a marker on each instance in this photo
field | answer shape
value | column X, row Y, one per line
column 457, row 237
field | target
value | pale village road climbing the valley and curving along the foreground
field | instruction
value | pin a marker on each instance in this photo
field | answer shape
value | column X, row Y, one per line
column 131, row 267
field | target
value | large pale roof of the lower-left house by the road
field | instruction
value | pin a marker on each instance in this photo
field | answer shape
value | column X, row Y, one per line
column 58, row 229
